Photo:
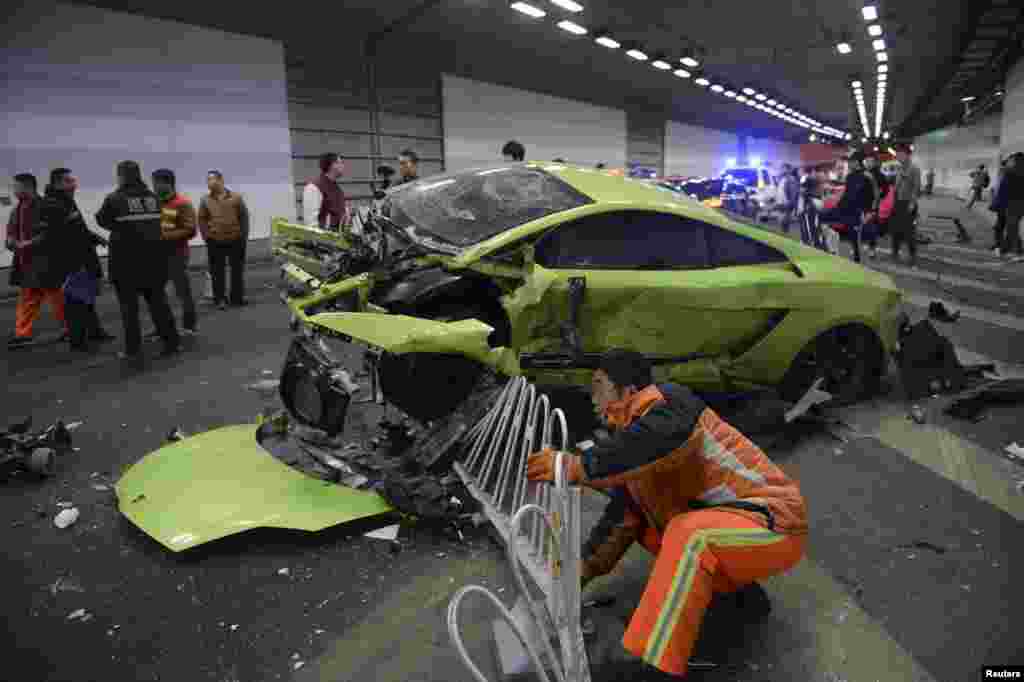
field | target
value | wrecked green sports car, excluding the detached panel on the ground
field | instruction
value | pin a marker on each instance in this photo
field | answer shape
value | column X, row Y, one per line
column 538, row 269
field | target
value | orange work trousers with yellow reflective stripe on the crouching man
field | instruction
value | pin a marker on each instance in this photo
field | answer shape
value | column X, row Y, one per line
column 701, row 553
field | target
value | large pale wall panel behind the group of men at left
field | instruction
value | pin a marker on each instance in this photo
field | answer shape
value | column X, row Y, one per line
column 86, row 89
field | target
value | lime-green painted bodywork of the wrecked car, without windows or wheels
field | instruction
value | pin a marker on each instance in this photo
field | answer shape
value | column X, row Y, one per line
column 722, row 312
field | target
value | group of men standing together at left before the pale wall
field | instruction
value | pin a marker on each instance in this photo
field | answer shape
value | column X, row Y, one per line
column 57, row 264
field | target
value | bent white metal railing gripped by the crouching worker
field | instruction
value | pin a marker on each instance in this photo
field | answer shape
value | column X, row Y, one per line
column 540, row 525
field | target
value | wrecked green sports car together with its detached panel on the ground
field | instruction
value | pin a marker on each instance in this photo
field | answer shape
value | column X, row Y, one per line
column 534, row 270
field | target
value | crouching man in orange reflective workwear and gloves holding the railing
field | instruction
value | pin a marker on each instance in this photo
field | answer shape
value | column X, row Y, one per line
column 699, row 495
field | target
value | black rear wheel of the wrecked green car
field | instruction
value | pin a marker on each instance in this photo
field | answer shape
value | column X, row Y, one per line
column 850, row 359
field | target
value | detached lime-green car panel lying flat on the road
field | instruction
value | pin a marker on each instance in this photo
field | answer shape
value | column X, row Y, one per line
column 223, row 483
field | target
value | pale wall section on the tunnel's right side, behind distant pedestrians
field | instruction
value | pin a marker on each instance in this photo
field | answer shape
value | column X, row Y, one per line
column 953, row 153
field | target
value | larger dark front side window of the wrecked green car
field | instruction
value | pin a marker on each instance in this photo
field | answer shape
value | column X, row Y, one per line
column 626, row 241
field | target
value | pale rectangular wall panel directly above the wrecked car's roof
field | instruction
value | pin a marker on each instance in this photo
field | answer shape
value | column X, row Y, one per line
column 480, row 118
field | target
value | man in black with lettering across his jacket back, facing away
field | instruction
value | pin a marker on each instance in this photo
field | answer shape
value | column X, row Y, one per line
column 139, row 260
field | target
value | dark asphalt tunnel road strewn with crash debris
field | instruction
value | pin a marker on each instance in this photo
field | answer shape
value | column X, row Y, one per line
column 350, row 609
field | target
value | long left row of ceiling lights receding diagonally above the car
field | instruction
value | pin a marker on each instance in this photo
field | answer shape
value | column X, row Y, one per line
column 748, row 96
